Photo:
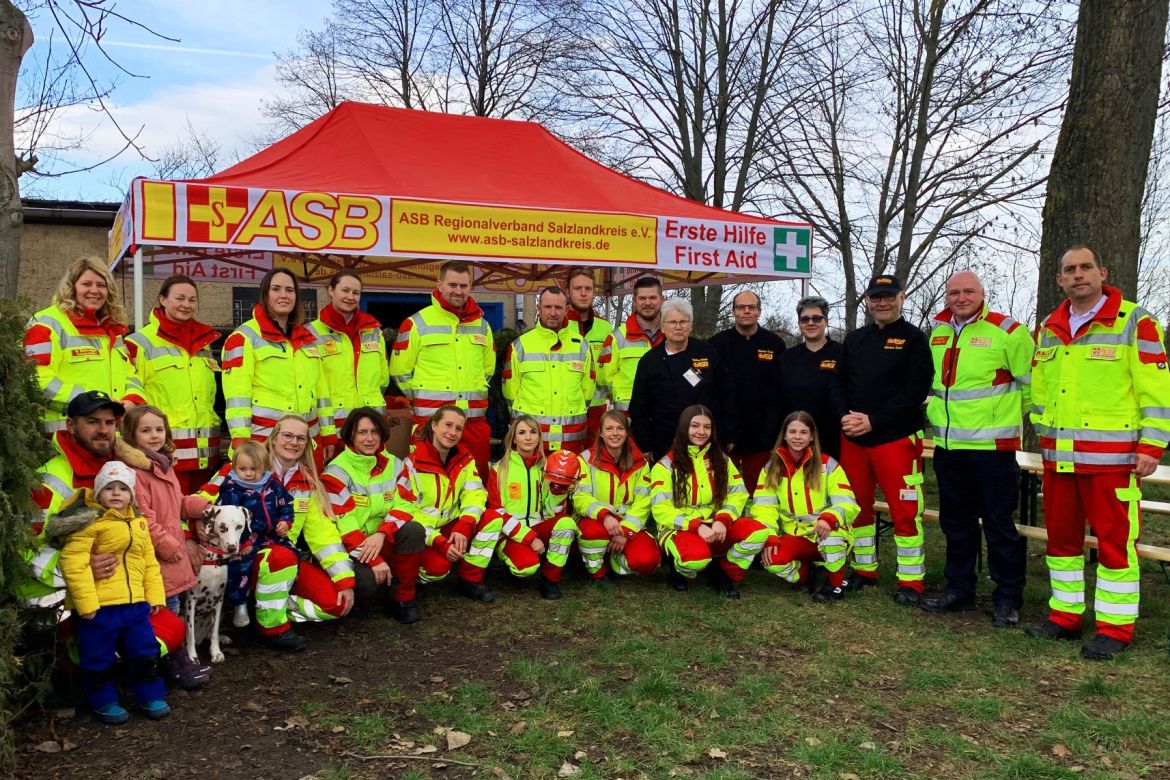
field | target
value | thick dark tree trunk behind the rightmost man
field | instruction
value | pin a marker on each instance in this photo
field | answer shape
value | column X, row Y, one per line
column 1100, row 163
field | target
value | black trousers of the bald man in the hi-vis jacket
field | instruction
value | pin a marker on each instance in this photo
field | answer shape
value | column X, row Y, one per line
column 975, row 485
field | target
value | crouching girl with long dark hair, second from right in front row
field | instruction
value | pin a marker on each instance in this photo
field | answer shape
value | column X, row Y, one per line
column 698, row 501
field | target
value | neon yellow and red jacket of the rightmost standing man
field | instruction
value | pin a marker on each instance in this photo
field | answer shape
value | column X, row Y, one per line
column 1102, row 396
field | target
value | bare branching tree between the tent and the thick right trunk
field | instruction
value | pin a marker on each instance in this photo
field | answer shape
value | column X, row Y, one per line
column 920, row 144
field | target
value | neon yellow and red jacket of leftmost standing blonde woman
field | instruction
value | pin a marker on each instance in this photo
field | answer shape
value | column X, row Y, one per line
column 75, row 354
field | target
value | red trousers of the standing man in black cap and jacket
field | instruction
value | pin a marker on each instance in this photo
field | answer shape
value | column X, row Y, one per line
column 897, row 468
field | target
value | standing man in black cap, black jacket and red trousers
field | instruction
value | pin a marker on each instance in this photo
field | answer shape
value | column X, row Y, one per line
column 879, row 388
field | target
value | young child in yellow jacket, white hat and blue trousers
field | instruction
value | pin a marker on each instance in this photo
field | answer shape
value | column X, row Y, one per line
column 115, row 612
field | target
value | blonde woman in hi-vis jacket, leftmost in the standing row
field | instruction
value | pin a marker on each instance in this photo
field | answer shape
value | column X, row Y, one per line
column 78, row 343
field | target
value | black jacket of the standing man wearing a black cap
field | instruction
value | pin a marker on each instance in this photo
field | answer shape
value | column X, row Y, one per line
column 887, row 374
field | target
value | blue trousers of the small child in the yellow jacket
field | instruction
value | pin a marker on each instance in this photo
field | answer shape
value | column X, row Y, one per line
column 119, row 630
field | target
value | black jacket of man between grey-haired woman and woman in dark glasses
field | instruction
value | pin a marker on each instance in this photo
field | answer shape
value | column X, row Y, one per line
column 754, row 363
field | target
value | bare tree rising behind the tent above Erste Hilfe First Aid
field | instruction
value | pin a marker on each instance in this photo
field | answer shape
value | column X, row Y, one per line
column 678, row 93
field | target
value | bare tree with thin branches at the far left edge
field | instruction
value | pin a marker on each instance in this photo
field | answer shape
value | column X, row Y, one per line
column 57, row 82
